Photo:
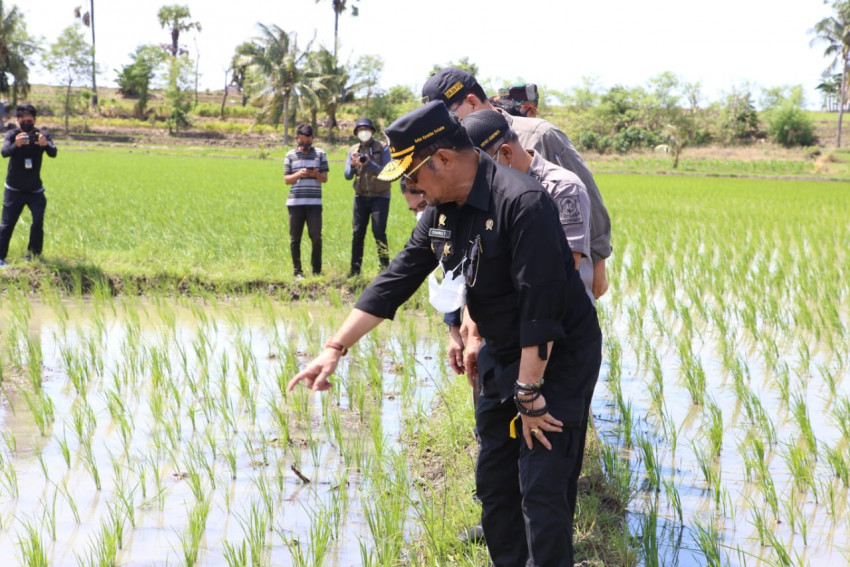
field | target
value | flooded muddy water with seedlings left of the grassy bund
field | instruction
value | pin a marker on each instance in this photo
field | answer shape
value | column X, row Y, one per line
column 164, row 420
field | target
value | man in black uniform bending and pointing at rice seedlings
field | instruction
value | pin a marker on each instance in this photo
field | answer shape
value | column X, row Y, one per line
column 499, row 230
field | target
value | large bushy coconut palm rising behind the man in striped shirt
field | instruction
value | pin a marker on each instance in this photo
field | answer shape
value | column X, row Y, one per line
column 282, row 69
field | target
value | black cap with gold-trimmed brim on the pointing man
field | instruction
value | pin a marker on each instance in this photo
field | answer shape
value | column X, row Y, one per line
column 414, row 131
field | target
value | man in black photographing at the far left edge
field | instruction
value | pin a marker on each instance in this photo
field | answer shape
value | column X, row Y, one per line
column 24, row 146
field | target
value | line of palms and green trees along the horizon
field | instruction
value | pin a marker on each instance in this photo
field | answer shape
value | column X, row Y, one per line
column 285, row 82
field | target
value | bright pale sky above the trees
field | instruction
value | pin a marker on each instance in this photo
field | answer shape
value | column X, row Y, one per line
column 720, row 43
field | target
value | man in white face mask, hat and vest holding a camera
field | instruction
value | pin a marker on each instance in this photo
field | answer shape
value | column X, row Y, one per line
column 365, row 161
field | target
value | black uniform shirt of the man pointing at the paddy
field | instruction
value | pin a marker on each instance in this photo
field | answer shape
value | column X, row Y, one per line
column 526, row 291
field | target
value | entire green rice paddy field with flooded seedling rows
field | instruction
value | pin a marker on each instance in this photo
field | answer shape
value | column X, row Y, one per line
column 145, row 422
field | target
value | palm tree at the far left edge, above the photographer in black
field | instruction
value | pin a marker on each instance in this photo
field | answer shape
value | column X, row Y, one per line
column 16, row 47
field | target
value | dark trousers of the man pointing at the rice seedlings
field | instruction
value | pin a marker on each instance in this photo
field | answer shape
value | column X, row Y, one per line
column 528, row 497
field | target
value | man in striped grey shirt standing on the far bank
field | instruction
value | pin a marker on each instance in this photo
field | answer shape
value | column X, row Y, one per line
column 305, row 168
